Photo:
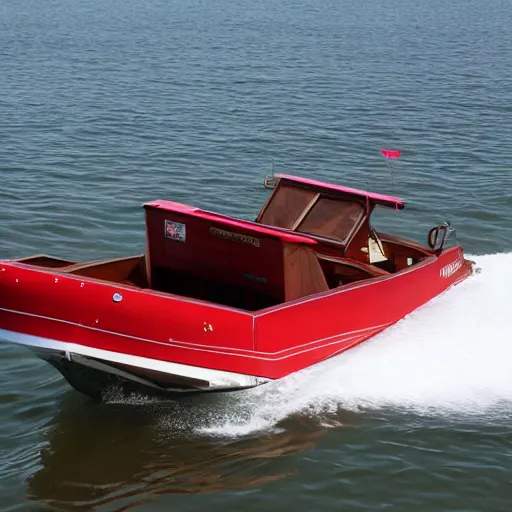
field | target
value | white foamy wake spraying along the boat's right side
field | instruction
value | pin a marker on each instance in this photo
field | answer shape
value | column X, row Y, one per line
column 452, row 356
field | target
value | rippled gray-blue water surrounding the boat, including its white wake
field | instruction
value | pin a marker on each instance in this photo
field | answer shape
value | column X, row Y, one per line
column 105, row 105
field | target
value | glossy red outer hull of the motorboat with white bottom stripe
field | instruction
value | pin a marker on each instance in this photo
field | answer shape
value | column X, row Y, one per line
column 172, row 344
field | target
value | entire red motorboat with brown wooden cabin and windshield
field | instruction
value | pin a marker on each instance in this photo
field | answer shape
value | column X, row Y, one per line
column 218, row 303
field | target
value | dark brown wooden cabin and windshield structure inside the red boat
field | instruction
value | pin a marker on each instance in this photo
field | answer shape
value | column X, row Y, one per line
column 308, row 238
